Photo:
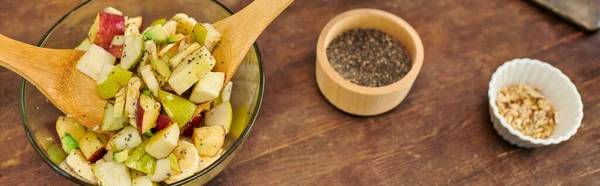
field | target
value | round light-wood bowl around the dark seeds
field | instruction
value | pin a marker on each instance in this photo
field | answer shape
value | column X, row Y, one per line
column 361, row 100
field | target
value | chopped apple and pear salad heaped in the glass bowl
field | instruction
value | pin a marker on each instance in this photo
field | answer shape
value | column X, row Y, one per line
column 154, row 80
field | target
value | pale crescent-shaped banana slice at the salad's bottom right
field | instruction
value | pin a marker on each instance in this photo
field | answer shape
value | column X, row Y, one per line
column 188, row 158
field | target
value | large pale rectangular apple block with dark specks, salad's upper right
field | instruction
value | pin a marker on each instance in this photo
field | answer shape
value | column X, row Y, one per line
column 192, row 69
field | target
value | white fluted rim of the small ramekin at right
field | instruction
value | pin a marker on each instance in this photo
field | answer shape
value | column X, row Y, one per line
column 557, row 72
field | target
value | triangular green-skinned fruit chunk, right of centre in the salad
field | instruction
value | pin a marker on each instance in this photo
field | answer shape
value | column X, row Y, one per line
column 179, row 109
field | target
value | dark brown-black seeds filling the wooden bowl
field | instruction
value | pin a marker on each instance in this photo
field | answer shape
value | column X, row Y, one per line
column 368, row 57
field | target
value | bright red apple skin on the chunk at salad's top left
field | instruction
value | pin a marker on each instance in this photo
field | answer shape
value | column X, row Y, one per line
column 110, row 25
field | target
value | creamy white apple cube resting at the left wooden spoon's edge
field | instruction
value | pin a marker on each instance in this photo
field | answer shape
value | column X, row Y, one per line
column 93, row 60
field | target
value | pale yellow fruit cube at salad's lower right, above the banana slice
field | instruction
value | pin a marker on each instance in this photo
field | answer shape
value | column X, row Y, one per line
column 209, row 140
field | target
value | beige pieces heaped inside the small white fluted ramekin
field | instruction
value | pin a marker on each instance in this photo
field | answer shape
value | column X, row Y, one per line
column 526, row 110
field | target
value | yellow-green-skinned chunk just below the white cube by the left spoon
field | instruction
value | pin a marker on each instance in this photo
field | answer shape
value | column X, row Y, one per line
column 111, row 79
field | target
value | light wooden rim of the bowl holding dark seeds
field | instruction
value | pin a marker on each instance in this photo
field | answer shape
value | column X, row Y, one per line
column 406, row 81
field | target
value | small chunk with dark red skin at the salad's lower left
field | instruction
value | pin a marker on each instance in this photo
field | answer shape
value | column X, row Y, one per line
column 92, row 146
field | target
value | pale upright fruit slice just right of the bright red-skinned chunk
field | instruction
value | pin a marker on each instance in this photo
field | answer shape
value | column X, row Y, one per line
column 132, row 51
